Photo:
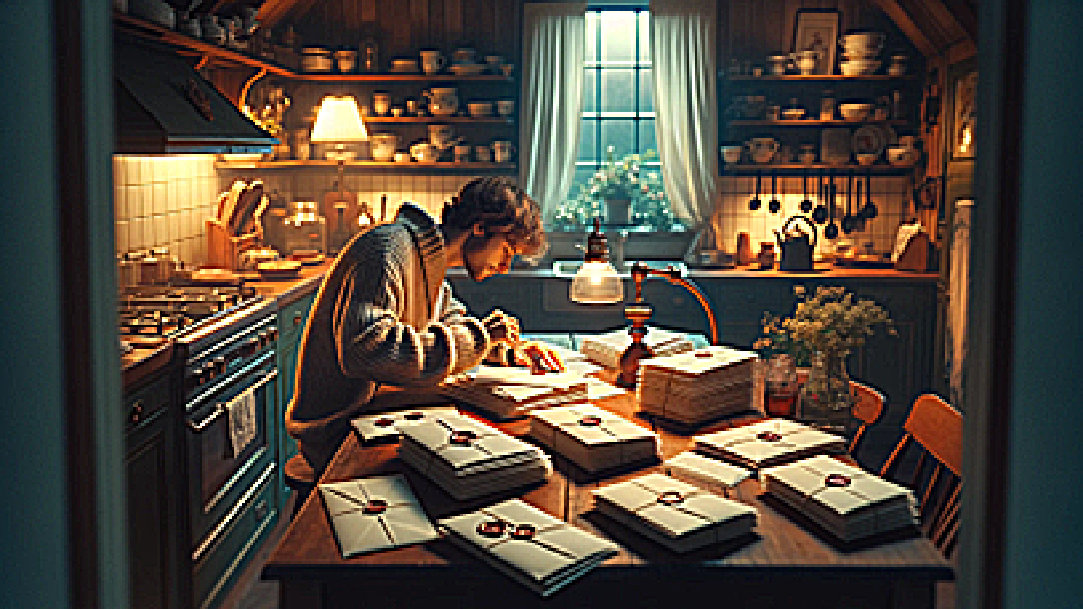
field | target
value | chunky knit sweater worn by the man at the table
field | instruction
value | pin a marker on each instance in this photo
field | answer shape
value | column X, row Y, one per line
column 384, row 316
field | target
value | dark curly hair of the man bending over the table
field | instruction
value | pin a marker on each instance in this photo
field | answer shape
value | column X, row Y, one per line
column 501, row 208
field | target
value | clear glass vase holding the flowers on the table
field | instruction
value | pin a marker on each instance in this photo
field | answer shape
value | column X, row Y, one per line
column 826, row 397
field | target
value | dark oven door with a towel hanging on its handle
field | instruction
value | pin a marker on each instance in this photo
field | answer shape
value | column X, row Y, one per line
column 218, row 477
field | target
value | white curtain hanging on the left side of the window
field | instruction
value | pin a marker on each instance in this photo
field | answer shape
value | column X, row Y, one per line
column 554, row 46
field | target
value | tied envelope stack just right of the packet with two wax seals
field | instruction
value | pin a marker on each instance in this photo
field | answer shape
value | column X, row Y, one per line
column 680, row 516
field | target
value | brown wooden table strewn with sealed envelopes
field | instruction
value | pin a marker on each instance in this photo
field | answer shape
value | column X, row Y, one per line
column 787, row 565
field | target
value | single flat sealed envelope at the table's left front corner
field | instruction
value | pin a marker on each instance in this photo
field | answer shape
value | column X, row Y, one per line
column 374, row 514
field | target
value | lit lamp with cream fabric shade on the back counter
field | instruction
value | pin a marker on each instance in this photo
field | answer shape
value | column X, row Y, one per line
column 338, row 122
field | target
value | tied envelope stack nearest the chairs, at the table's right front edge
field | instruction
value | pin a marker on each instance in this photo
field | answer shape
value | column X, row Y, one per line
column 846, row 501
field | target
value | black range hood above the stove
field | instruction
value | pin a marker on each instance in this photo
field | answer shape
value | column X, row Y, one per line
column 163, row 106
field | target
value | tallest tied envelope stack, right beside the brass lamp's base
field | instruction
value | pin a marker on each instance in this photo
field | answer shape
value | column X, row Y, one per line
column 697, row 386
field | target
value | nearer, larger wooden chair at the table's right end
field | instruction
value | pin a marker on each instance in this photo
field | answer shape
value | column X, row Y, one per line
column 935, row 430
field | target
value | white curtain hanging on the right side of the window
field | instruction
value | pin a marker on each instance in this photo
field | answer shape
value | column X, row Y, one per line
column 683, row 54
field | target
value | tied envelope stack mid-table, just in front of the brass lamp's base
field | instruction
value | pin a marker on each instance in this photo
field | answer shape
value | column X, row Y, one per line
column 593, row 438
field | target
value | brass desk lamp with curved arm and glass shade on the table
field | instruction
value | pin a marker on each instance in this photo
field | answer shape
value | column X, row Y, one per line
column 594, row 284
